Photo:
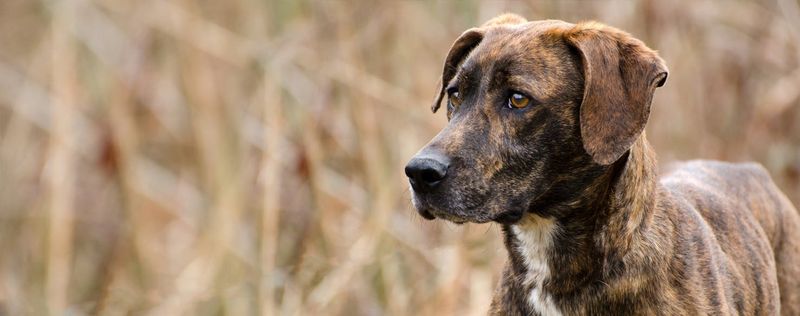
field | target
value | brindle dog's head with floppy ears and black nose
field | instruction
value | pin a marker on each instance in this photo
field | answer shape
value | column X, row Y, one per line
column 534, row 110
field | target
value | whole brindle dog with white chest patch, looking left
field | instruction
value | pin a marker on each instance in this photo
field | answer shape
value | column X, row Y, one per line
column 545, row 136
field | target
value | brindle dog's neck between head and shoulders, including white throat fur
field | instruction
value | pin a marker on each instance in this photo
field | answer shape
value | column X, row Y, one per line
column 556, row 256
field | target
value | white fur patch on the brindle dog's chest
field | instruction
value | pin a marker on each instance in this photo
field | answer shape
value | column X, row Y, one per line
column 535, row 236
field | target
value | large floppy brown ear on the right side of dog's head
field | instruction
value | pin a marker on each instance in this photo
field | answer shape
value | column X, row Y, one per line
column 620, row 75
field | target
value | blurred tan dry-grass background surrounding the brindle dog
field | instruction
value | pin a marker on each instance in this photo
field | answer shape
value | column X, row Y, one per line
column 246, row 157
